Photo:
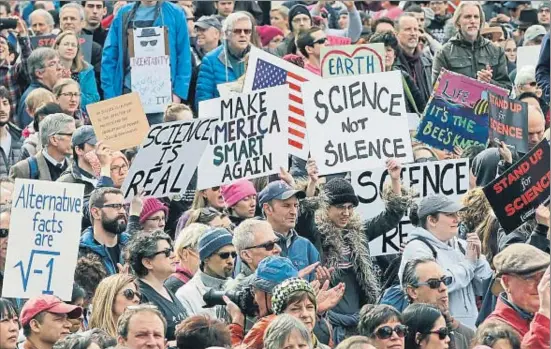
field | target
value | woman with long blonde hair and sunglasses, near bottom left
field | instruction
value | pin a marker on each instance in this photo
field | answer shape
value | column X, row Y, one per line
column 113, row 295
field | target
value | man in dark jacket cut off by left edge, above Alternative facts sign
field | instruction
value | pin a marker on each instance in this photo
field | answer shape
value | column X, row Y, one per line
column 10, row 135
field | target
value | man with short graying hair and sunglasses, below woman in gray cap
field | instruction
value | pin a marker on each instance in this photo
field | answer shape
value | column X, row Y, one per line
column 424, row 281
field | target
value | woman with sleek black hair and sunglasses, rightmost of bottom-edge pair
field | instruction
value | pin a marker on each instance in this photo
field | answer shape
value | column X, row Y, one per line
column 426, row 327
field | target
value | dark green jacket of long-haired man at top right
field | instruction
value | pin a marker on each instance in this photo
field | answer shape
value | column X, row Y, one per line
column 461, row 56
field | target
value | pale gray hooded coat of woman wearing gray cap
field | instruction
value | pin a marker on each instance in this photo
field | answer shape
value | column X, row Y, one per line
column 468, row 277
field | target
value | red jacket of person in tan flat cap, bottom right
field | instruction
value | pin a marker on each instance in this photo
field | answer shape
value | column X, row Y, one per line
column 534, row 334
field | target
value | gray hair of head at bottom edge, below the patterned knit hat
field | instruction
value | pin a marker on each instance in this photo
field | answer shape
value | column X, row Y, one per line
column 281, row 328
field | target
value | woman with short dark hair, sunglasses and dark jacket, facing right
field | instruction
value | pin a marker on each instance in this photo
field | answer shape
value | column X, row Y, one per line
column 152, row 259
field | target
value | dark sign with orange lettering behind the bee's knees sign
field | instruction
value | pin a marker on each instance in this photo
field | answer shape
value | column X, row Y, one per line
column 508, row 121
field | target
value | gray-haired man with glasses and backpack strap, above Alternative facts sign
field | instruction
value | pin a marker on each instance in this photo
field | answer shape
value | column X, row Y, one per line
column 56, row 131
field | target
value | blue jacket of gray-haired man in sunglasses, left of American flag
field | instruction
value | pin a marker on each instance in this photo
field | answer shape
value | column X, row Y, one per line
column 215, row 69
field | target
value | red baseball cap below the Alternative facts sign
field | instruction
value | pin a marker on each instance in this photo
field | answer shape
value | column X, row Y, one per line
column 48, row 303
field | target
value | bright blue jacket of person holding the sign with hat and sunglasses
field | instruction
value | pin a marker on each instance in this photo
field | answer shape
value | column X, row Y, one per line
column 112, row 62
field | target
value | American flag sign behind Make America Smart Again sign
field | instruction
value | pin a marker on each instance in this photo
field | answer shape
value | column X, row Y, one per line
column 266, row 70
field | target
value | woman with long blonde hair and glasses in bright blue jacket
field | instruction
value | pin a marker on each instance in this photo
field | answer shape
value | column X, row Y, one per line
column 75, row 67
